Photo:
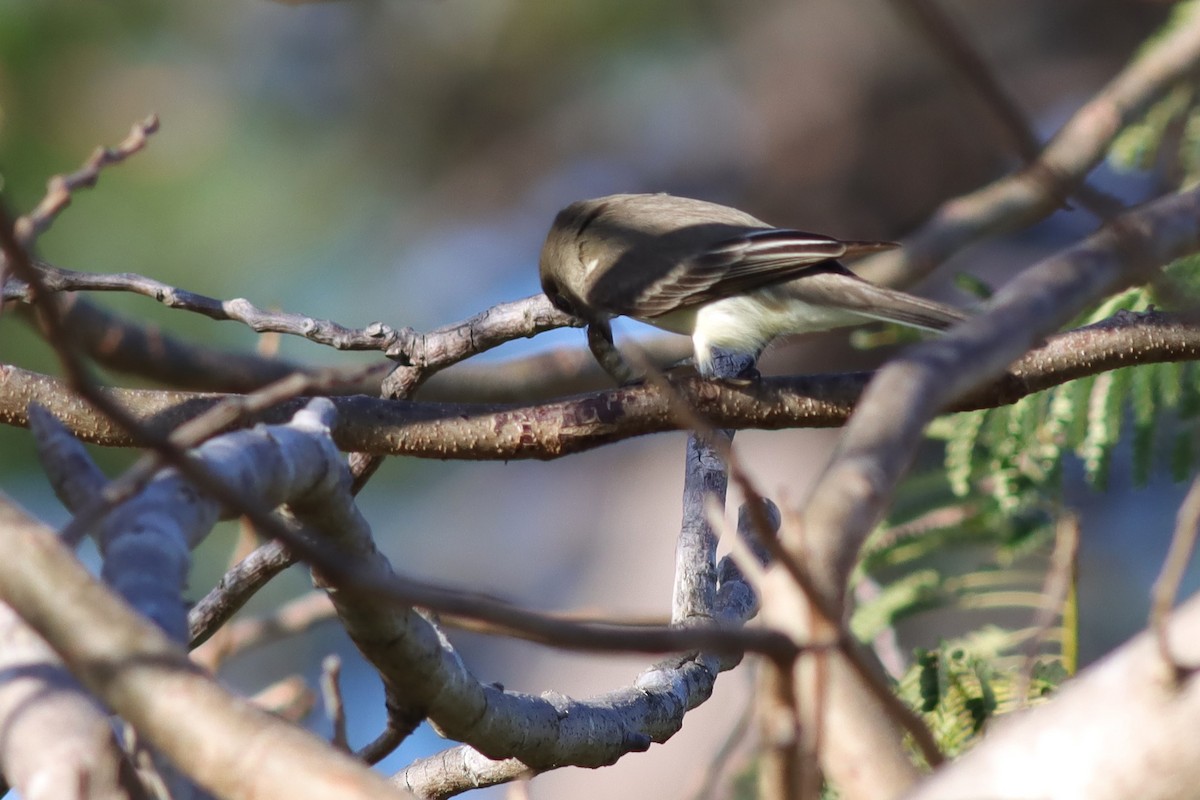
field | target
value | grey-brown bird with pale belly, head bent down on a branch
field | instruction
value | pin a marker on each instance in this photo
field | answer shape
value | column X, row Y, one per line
column 716, row 274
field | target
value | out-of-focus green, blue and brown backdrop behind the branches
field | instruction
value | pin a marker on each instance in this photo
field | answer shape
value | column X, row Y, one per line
column 401, row 163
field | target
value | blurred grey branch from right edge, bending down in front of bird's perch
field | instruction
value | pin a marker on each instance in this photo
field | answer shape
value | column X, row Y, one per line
column 879, row 442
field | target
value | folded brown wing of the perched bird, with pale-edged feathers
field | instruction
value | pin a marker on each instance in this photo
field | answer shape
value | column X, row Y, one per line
column 739, row 266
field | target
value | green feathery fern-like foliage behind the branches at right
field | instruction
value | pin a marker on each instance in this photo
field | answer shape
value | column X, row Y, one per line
column 977, row 536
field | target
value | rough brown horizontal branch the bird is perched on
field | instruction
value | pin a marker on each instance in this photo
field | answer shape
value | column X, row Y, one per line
column 574, row 425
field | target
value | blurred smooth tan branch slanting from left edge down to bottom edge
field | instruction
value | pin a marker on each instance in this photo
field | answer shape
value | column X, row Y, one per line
column 148, row 679
